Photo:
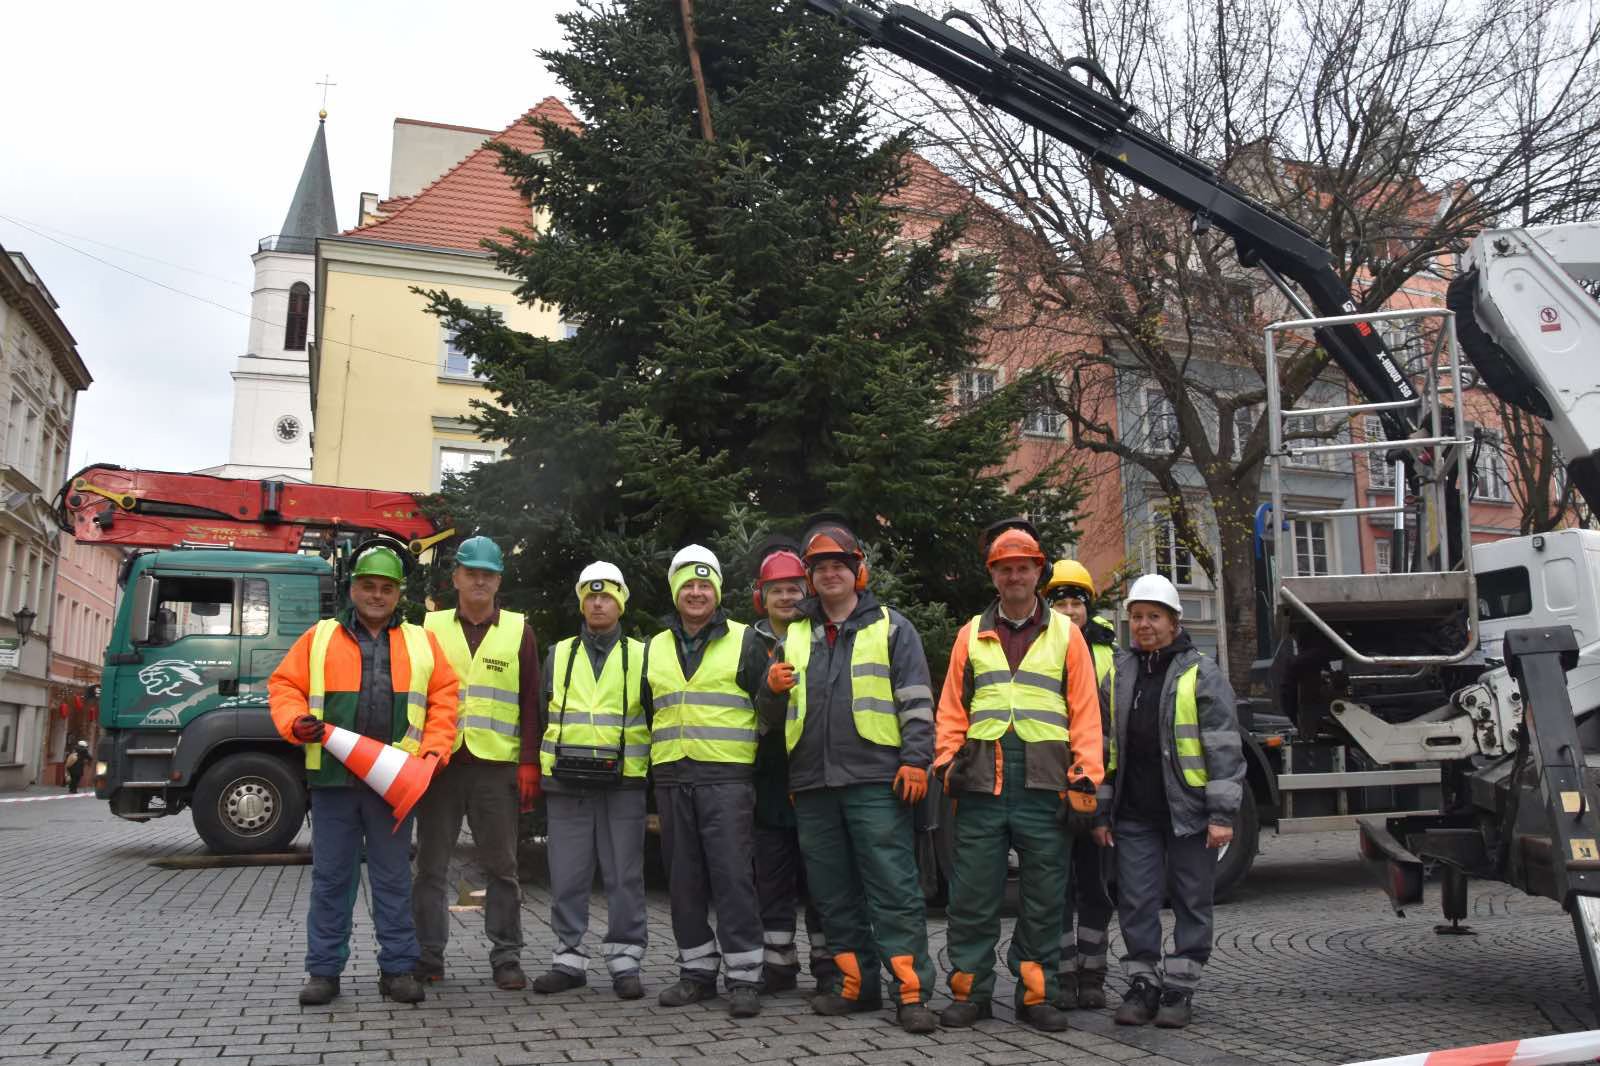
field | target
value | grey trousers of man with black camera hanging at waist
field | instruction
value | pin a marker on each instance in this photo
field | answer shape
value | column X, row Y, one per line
column 599, row 828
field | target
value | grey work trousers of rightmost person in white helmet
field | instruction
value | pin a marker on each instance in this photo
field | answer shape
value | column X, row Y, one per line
column 1153, row 862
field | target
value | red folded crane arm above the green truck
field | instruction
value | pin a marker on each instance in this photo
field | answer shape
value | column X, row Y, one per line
column 108, row 505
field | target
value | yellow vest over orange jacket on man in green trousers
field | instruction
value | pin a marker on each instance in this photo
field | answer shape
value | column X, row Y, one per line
column 1031, row 700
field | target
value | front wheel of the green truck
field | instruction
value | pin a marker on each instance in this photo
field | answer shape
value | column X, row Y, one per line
column 249, row 804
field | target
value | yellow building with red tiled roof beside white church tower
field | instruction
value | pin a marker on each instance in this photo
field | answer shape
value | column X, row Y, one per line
column 391, row 393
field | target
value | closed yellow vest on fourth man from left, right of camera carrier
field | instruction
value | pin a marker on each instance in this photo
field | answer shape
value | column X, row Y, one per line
column 706, row 718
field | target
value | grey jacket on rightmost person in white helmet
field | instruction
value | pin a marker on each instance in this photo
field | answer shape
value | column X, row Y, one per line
column 1220, row 739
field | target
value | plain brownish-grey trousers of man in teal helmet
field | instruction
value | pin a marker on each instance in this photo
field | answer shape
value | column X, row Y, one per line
column 486, row 795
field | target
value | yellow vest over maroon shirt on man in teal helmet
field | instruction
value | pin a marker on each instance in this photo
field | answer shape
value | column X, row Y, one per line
column 489, row 715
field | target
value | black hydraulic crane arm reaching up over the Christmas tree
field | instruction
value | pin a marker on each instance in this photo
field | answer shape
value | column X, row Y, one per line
column 1100, row 127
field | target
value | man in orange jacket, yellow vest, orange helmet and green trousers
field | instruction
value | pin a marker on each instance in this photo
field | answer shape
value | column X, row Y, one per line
column 1020, row 751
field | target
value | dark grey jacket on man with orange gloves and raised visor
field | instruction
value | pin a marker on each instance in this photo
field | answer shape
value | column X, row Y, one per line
column 831, row 753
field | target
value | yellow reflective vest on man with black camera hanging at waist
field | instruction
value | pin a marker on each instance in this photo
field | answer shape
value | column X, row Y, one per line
column 596, row 719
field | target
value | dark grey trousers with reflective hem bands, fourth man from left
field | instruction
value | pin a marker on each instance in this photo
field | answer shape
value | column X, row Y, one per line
column 706, row 840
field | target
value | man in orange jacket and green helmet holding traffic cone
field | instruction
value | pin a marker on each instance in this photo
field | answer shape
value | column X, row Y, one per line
column 377, row 676
